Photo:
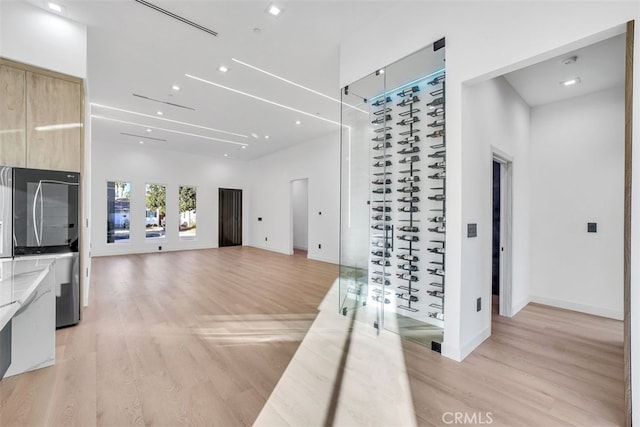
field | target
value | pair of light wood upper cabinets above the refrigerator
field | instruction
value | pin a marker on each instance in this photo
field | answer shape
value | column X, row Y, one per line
column 41, row 118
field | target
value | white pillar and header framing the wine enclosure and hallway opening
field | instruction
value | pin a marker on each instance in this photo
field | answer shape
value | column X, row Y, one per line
column 506, row 37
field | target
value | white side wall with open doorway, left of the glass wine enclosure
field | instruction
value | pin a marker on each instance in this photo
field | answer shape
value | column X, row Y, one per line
column 317, row 160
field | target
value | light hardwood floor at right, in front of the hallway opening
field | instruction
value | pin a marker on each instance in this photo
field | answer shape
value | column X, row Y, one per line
column 543, row 367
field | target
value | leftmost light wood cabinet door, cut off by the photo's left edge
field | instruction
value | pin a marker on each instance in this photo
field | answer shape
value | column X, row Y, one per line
column 13, row 142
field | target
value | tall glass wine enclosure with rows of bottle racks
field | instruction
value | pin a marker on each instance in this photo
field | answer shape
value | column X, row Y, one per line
column 393, row 197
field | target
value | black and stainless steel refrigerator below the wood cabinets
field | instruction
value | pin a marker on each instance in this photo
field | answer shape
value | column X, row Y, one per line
column 39, row 212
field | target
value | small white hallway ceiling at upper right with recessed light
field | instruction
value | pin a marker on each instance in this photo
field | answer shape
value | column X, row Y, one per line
column 599, row 66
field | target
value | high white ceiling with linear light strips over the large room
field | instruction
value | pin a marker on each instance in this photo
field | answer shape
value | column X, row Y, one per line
column 136, row 54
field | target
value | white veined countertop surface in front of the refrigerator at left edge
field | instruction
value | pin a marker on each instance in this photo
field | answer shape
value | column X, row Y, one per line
column 19, row 279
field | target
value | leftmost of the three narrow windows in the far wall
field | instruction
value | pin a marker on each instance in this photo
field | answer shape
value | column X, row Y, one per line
column 118, row 211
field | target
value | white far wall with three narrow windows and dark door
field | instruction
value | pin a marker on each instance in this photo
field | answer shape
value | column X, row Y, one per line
column 142, row 164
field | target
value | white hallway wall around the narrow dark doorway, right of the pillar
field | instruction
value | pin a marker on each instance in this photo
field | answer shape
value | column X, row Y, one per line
column 495, row 119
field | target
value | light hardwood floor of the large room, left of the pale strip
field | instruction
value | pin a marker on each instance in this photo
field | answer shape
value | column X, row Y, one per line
column 196, row 337
